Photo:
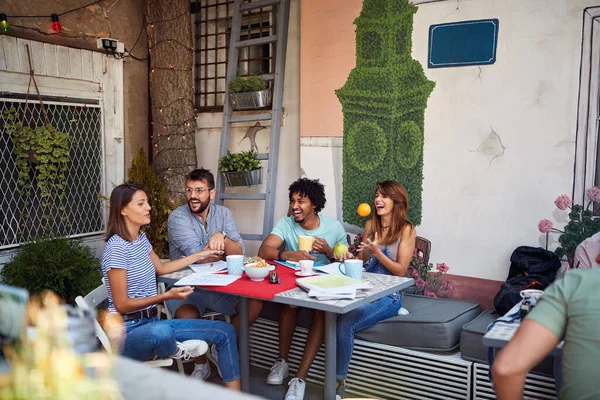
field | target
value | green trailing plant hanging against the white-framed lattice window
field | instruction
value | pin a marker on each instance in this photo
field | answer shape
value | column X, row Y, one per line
column 44, row 149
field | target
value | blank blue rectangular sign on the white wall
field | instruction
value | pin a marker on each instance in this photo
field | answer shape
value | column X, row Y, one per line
column 463, row 43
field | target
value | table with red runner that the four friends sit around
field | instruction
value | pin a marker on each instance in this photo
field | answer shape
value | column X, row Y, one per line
column 288, row 293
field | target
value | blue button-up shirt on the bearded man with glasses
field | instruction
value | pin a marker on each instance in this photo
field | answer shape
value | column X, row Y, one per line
column 187, row 234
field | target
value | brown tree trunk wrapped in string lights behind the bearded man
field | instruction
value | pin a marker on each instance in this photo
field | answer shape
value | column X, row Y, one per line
column 171, row 91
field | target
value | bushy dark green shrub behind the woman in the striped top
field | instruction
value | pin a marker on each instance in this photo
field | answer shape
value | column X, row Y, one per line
column 65, row 266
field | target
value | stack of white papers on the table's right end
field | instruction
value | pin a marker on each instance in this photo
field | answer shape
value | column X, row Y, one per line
column 335, row 286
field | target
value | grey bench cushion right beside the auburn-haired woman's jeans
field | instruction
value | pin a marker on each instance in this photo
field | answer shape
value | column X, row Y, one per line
column 432, row 325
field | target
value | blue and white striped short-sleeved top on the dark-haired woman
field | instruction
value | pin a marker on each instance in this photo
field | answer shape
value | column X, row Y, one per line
column 135, row 258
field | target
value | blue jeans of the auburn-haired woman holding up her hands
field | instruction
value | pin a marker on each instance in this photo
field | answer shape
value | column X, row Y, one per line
column 357, row 320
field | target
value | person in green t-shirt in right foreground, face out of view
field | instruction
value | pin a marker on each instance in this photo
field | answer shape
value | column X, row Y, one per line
column 568, row 310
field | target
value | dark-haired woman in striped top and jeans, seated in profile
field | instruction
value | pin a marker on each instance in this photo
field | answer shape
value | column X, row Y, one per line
column 130, row 267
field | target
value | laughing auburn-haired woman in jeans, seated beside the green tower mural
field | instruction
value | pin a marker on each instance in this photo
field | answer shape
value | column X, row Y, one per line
column 387, row 249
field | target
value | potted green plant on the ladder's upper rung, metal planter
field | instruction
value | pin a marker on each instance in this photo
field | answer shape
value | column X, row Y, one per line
column 249, row 92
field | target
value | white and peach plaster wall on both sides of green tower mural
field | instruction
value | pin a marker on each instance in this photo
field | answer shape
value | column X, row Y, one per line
column 499, row 139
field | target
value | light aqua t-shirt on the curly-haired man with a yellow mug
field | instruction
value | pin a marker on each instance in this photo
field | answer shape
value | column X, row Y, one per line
column 329, row 229
